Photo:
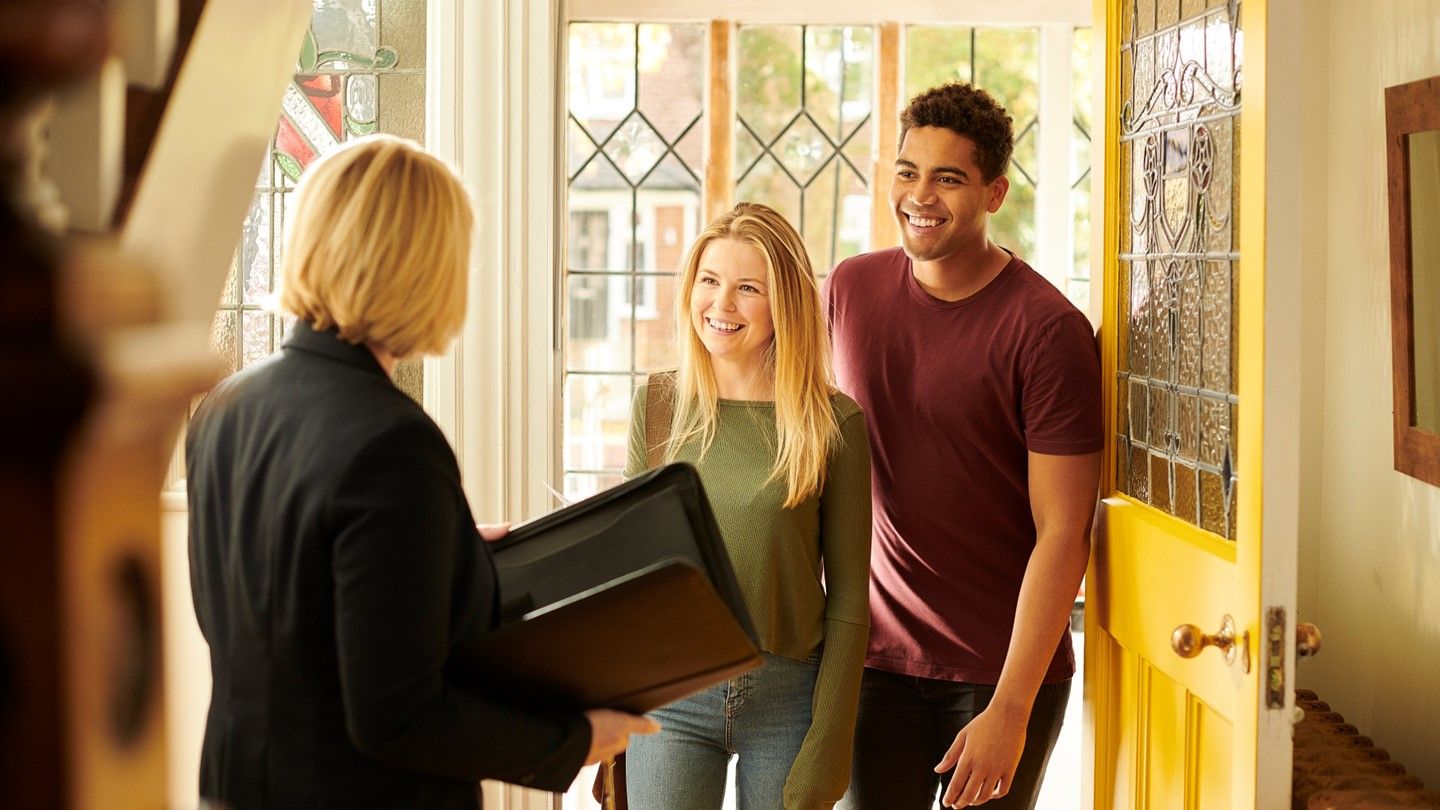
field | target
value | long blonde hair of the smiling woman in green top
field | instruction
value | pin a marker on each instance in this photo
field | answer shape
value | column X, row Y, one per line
column 798, row 357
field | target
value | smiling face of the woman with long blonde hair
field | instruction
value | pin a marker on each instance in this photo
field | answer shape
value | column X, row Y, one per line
column 731, row 305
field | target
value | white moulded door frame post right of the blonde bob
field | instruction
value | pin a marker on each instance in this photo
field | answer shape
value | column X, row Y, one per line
column 492, row 110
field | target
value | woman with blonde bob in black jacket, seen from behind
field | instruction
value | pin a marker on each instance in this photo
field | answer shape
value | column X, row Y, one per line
column 335, row 563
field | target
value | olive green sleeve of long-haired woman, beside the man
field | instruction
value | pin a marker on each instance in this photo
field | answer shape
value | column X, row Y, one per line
column 822, row 772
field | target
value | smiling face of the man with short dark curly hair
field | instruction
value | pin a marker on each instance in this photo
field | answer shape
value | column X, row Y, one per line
column 940, row 197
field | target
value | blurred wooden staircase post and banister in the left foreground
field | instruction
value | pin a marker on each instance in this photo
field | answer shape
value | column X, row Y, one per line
column 130, row 138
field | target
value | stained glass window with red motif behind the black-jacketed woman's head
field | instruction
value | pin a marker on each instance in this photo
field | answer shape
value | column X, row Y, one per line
column 361, row 70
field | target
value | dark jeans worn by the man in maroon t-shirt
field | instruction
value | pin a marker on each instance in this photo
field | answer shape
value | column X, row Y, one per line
column 906, row 724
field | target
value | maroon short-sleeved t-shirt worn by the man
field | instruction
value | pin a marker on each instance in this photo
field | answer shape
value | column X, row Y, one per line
column 957, row 394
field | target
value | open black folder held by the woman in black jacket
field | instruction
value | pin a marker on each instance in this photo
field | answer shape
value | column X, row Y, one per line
column 626, row 600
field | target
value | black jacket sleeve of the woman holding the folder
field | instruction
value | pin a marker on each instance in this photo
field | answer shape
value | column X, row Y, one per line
column 395, row 515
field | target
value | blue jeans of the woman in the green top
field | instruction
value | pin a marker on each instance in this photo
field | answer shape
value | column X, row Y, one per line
column 762, row 717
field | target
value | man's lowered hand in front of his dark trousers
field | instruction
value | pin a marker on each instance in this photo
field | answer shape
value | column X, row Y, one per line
column 984, row 756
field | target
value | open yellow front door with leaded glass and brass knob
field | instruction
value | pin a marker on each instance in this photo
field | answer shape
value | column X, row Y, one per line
column 1192, row 596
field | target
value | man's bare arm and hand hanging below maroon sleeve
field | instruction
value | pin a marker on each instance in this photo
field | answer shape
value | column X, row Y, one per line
column 1062, row 498
